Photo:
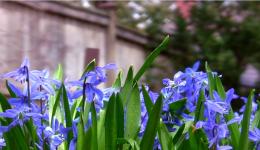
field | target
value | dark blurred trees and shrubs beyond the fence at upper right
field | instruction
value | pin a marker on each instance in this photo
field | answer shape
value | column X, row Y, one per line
column 226, row 35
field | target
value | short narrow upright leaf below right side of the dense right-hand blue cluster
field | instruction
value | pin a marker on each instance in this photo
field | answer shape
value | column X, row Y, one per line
column 199, row 112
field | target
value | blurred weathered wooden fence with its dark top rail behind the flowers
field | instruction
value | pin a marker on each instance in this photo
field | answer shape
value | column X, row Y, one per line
column 50, row 33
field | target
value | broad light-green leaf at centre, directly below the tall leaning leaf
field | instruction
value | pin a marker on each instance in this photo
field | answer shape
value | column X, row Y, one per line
column 133, row 114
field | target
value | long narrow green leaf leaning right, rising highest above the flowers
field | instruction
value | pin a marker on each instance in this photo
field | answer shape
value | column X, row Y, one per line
column 149, row 60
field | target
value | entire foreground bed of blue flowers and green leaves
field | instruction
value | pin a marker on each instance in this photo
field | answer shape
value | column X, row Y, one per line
column 192, row 111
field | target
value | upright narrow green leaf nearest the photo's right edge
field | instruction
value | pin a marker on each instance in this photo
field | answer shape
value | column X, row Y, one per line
column 243, row 141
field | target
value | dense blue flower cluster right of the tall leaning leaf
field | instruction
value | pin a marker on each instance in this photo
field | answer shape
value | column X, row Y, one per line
column 185, row 85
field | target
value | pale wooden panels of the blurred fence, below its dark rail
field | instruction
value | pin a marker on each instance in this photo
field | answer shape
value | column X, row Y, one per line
column 49, row 39
